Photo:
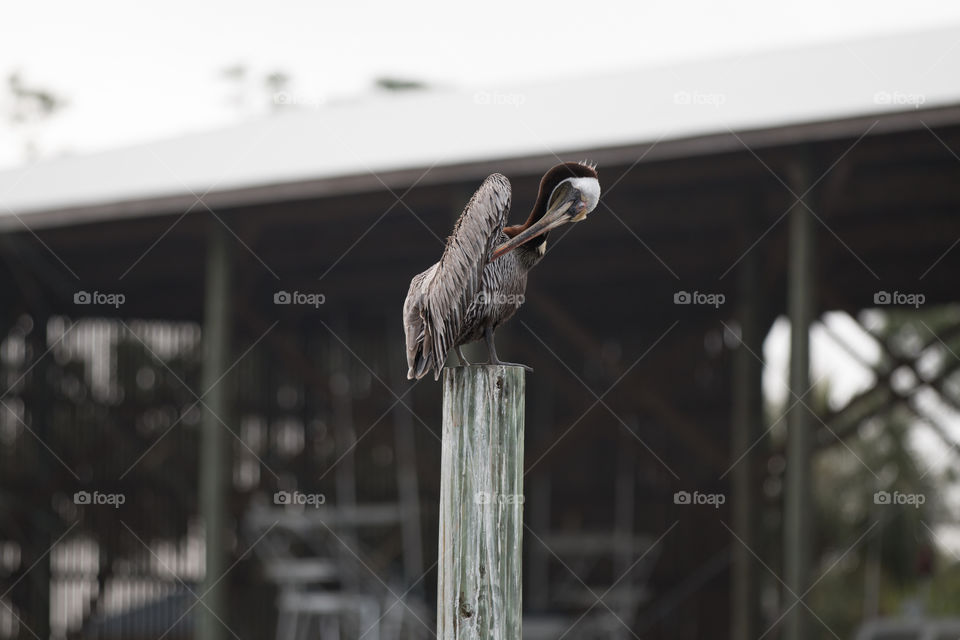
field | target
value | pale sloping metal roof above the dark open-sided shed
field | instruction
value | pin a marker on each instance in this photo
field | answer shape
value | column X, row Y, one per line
column 387, row 133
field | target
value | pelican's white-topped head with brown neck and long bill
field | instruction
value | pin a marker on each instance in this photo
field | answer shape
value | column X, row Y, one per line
column 568, row 192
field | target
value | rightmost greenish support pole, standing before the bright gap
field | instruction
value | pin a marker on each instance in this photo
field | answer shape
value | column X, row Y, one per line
column 797, row 505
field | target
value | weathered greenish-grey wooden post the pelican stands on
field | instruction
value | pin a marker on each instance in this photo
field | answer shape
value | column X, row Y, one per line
column 481, row 504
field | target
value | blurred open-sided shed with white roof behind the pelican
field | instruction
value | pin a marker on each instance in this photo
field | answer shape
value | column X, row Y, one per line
column 206, row 430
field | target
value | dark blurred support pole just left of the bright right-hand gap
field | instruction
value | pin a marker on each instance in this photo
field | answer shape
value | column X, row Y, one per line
column 747, row 418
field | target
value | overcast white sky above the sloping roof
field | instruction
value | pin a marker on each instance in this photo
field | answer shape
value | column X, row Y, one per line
column 134, row 74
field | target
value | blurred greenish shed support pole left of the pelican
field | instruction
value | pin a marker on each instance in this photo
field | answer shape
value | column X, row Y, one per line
column 214, row 453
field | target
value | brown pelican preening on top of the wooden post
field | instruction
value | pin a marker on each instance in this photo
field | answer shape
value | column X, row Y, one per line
column 481, row 277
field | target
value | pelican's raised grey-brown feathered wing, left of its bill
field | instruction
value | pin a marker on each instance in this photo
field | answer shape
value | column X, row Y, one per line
column 456, row 280
